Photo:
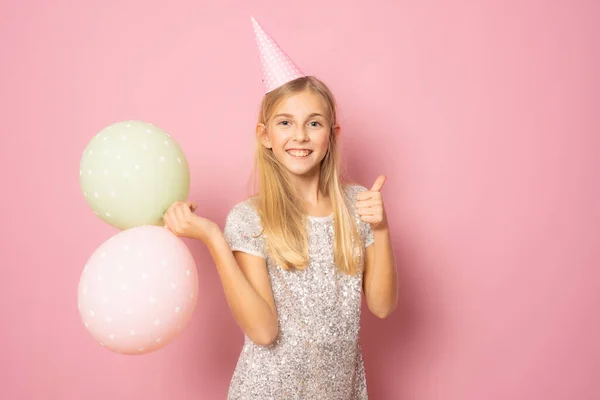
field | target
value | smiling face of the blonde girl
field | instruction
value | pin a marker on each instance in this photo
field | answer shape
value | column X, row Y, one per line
column 298, row 133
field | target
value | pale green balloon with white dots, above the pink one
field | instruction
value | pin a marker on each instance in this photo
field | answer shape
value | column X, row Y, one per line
column 131, row 172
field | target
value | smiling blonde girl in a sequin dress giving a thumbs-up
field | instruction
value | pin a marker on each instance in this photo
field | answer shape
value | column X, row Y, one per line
column 295, row 258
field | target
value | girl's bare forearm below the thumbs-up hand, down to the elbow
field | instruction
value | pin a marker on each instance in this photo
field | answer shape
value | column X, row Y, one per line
column 379, row 280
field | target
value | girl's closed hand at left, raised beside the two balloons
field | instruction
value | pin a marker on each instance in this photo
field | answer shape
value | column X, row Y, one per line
column 182, row 221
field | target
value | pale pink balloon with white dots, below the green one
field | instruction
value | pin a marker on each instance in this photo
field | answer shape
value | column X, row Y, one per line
column 138, row 290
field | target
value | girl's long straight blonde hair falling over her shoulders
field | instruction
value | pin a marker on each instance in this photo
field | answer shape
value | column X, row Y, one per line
column 282, row 215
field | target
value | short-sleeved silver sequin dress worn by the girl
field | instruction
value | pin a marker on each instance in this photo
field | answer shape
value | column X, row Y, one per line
column 317, row 354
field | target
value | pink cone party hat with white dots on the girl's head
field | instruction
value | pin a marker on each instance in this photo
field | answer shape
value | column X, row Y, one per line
column 277, row 67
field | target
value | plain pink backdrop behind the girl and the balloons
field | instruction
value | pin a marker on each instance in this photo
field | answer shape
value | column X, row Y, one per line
column 481, row 113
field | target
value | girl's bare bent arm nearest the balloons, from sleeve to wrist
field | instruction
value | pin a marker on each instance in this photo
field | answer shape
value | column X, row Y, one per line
column 248, row 291
